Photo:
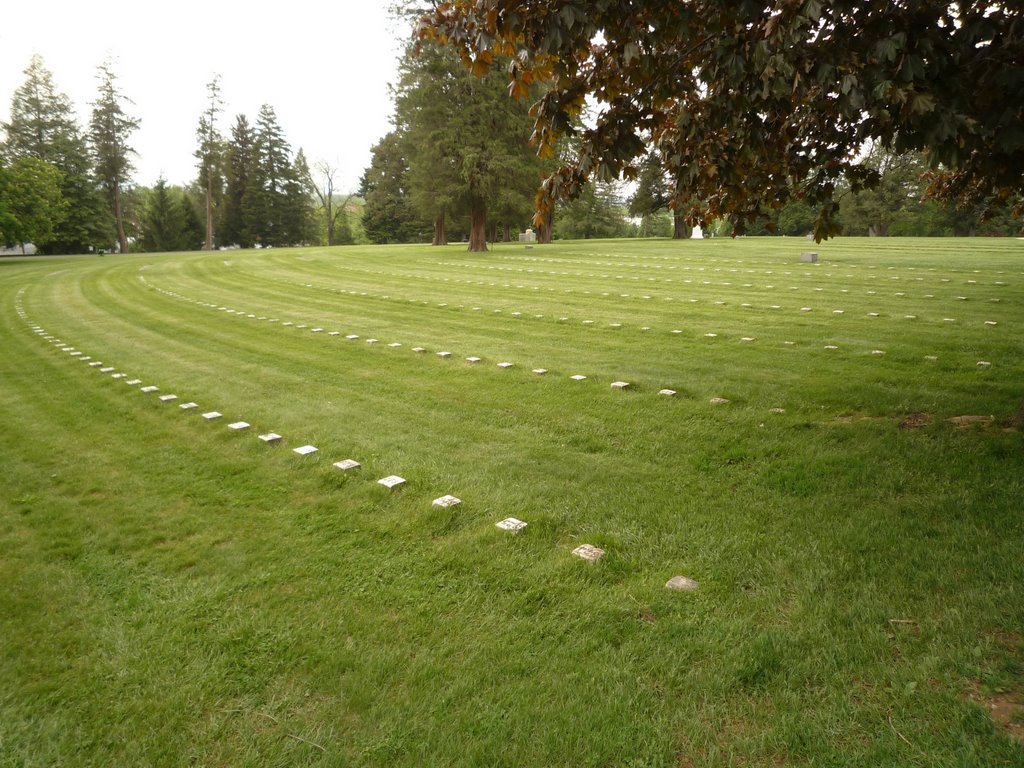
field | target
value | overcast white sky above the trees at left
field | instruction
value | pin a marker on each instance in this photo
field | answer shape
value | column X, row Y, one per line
column 324, row 67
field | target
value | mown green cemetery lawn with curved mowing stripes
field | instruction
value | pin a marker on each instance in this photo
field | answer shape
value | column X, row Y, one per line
column 839, row 467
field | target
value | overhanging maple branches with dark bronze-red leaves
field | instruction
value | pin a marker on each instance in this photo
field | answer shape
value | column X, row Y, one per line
column 753, row 104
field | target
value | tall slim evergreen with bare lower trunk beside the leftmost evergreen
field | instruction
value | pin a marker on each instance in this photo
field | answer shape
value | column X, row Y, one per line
column 110, row 131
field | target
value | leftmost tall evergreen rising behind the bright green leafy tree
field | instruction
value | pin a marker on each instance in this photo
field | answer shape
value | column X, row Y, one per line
column 44, row 126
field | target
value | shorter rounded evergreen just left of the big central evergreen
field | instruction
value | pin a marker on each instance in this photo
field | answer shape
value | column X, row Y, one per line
column 389, row 215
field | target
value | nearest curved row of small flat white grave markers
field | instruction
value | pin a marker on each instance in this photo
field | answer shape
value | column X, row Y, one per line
column 587, row 552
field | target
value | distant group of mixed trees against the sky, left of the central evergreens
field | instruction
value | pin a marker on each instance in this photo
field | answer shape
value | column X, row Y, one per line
column 68, row 190
